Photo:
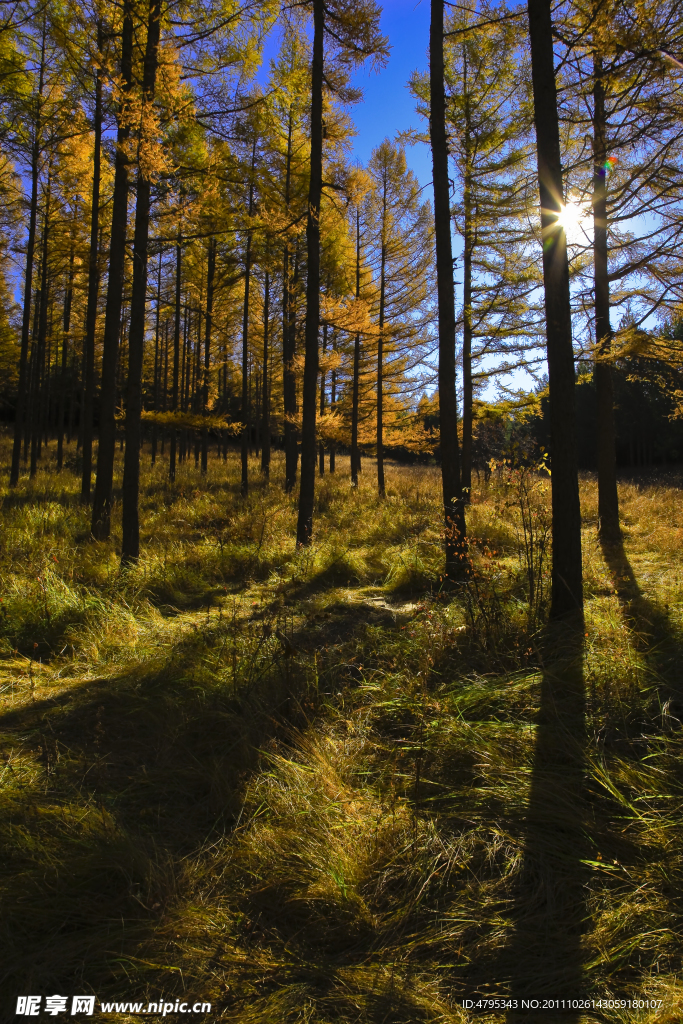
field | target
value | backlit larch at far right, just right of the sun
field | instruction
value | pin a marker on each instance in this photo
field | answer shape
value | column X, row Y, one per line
column 622, row 93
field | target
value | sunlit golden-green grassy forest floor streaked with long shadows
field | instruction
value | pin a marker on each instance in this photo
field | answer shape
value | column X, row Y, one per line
column 324, row 787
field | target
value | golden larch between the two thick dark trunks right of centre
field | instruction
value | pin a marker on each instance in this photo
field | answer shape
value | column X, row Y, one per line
column 490, row 122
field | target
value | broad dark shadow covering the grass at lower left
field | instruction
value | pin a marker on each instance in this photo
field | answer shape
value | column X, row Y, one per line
column 112, row 788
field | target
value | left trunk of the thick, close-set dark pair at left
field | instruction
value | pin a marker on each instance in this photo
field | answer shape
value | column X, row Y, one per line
column 102, row 504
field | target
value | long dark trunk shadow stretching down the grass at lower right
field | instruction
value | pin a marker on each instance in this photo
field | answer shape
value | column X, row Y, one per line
column 543, row 960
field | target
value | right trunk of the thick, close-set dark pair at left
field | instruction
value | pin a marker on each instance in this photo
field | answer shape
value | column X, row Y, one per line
column 132, row 471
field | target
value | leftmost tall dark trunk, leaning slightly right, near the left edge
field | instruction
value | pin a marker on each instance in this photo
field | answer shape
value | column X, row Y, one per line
column 24, row 381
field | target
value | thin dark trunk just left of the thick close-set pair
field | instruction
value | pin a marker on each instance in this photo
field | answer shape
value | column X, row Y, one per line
column 94, row 289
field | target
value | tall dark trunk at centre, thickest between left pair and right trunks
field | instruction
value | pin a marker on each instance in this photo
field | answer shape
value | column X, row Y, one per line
column 308, row 489
